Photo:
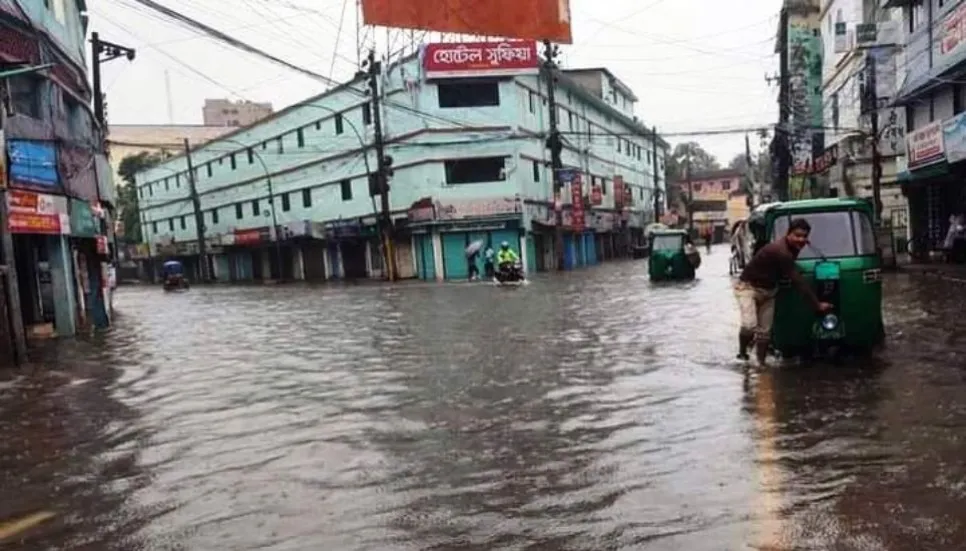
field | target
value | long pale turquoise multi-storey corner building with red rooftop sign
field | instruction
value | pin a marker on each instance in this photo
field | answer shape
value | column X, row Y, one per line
column 290, row 197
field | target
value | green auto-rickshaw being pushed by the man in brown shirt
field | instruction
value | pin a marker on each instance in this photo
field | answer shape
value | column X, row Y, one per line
column 842, row 264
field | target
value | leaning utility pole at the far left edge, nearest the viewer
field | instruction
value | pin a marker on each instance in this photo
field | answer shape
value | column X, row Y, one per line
column 8, row 269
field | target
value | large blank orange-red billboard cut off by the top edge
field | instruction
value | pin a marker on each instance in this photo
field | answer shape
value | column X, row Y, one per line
column 527, row 19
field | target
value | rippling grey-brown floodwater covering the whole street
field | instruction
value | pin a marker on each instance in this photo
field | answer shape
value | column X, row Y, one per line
column 588, row 411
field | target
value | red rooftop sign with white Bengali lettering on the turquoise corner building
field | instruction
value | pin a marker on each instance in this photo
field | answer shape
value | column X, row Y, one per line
column 462, row 59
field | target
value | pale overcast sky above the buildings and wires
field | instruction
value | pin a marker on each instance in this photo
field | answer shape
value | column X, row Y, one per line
column 695, row 64
